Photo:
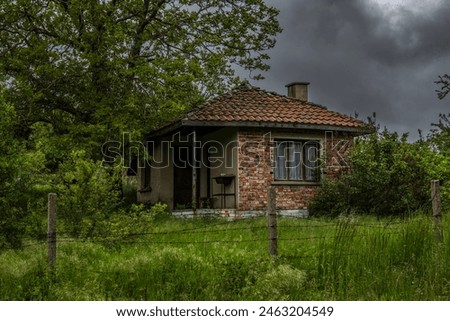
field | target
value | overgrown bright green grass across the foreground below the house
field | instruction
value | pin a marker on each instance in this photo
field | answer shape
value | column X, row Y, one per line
column 351, row 258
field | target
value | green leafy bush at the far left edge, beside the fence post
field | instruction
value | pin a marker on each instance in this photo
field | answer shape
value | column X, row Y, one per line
column 22, row 184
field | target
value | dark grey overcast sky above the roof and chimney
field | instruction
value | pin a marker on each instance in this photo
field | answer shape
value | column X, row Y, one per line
column 366, row 56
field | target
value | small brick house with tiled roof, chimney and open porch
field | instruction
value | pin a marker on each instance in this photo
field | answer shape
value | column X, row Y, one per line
column 224, row 155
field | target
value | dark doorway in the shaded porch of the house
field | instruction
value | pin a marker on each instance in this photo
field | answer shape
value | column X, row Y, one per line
column 182, row 177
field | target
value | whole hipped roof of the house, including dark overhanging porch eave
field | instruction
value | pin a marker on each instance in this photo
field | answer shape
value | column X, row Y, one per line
column 251, row 106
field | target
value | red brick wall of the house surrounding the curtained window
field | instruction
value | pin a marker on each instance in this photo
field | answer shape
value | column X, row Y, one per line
column 255, row 170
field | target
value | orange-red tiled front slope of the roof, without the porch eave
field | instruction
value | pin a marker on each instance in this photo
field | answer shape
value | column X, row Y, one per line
column 251, row 104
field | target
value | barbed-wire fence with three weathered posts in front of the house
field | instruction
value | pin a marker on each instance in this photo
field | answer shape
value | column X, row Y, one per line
column 288, row 236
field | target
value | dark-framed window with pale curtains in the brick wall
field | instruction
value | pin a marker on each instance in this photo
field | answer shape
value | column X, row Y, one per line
column 297, row 161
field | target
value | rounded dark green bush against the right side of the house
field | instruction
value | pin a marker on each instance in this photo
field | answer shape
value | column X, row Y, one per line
column 389, row 176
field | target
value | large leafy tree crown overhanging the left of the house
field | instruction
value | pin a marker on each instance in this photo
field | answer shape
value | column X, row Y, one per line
column 95, row 68
